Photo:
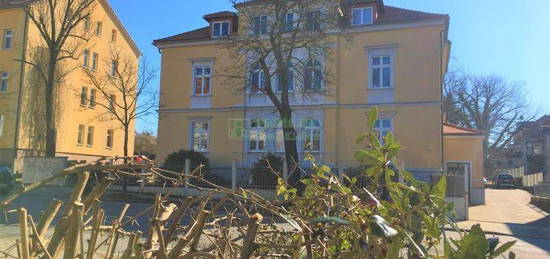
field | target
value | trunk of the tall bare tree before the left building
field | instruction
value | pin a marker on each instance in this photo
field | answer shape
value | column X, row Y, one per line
column 50, row 107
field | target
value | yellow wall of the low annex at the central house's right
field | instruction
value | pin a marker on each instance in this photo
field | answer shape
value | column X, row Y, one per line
column 466, row 149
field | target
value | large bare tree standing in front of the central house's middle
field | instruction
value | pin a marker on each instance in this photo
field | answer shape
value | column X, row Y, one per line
column 282, row 45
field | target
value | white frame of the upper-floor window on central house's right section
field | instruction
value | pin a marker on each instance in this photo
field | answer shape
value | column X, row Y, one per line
column 381, row 53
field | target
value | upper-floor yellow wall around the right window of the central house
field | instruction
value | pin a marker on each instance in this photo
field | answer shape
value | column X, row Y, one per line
column 417, row 64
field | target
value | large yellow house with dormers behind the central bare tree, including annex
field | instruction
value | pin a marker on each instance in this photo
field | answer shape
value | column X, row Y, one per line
column 200, row 111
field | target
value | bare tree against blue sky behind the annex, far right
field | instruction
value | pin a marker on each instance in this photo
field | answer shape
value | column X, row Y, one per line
column 486, row 103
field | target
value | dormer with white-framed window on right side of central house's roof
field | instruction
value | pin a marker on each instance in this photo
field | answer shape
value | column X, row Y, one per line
column 363, row 12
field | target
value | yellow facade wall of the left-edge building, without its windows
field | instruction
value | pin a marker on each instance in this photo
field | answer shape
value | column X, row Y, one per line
column 69, row 112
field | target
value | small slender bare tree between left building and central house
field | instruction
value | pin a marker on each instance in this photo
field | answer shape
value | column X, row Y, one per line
column 124, row 91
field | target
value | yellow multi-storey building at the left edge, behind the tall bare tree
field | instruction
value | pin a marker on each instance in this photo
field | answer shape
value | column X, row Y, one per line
column 81, row 135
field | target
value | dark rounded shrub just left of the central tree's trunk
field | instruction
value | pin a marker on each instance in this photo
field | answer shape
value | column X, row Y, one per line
column 262, row 172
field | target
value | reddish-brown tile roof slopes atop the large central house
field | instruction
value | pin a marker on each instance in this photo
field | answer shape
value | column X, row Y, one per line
column 390, row 15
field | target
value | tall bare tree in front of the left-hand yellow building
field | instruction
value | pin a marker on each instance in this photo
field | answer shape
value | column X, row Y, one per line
column 58, row 23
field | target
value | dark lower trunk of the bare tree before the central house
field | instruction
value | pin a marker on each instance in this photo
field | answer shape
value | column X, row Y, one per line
column 291, row 150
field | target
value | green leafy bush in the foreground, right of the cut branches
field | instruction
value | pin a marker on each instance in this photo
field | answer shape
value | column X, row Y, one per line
column 384, row 219
